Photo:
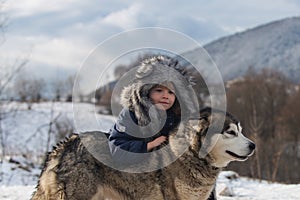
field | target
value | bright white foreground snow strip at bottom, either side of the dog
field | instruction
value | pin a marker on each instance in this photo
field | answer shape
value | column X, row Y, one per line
column 240, row 188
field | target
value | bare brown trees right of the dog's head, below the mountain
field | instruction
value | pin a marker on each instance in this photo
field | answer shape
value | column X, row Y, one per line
column 268, row 106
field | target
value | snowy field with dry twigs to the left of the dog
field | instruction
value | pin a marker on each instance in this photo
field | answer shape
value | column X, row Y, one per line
column 26, row 131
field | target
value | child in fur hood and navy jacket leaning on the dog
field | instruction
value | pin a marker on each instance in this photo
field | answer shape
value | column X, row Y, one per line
column 151, row 110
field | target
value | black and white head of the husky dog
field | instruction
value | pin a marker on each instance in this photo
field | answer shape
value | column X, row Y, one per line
column 219, row 138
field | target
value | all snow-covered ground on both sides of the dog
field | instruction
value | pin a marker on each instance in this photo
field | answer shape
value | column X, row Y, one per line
column 25, row 132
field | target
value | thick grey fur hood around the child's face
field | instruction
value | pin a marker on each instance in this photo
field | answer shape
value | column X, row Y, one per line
column 158, row 70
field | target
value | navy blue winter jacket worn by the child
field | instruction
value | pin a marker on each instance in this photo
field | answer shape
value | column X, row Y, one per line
column 127, row 136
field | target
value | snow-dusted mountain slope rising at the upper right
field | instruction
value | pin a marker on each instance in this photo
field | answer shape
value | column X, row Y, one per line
column 274, row 45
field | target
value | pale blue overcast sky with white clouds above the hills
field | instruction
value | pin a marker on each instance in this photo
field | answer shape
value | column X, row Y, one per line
column 58, row 35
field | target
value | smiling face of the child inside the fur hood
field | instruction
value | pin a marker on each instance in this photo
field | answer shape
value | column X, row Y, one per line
column 162, row 97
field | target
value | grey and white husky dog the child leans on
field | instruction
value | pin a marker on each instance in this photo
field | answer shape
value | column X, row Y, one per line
column 72, row 172
